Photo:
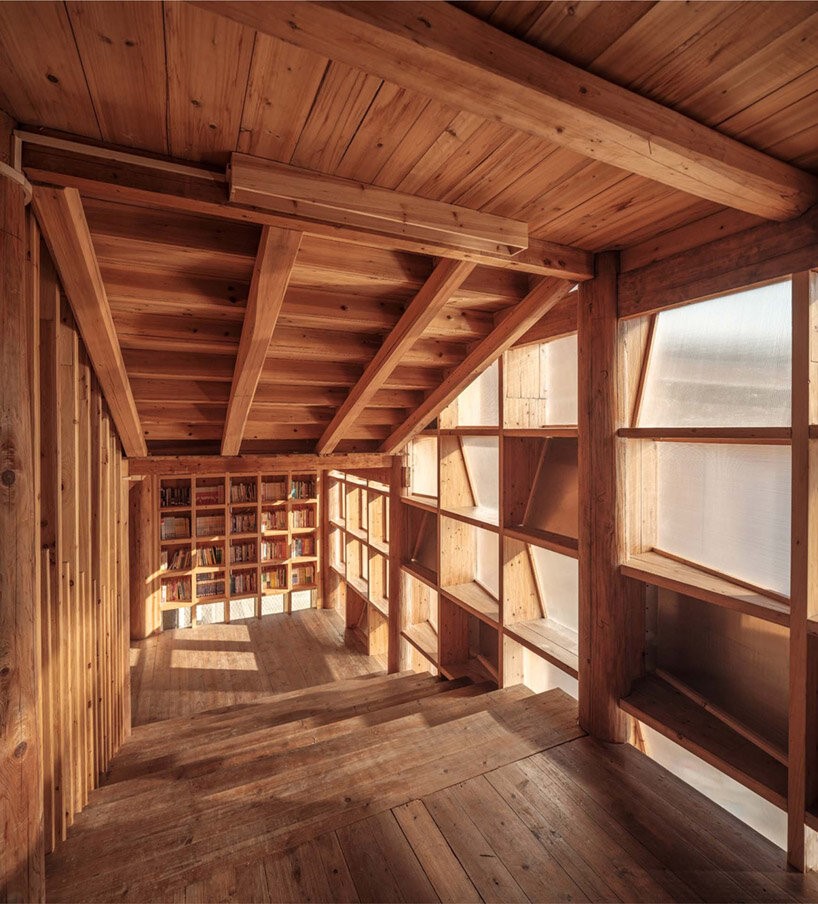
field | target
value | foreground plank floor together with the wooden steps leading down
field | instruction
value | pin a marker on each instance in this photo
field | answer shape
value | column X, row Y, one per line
column 403, row 788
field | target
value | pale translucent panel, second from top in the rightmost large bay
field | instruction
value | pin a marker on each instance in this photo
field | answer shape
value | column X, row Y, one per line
column 727, row 507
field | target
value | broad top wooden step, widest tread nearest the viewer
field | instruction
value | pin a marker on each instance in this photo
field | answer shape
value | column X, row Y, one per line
column 276, row 803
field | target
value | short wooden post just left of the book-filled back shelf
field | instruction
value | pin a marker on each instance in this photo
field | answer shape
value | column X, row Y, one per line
column 145, row 616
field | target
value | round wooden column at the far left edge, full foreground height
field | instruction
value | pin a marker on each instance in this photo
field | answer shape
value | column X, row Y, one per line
column 21, row 781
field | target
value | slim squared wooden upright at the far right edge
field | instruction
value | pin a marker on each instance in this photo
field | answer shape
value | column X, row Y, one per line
column 802, row 851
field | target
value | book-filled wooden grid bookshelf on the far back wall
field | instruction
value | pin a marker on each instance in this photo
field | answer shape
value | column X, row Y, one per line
column 229, row 542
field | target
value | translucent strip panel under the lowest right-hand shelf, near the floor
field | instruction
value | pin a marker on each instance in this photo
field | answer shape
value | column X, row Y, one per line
column 767, row 819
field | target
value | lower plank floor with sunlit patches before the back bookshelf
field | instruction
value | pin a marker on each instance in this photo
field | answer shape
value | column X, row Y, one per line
column 193, row 669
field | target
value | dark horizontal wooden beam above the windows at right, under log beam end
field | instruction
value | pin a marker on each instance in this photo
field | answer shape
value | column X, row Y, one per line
column 768, row 251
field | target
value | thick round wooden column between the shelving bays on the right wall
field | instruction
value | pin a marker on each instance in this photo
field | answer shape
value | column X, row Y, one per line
column 611, row 632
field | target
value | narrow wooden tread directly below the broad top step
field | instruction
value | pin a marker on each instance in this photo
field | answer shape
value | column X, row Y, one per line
column 216, row 748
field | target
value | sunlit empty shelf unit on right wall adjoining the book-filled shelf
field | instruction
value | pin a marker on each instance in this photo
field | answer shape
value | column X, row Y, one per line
column 359, row 550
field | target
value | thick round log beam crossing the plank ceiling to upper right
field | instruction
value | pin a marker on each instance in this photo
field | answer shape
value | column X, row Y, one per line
column 465, row 62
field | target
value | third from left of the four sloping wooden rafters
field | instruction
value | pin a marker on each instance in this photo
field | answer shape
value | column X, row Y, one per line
column 446, row 278
